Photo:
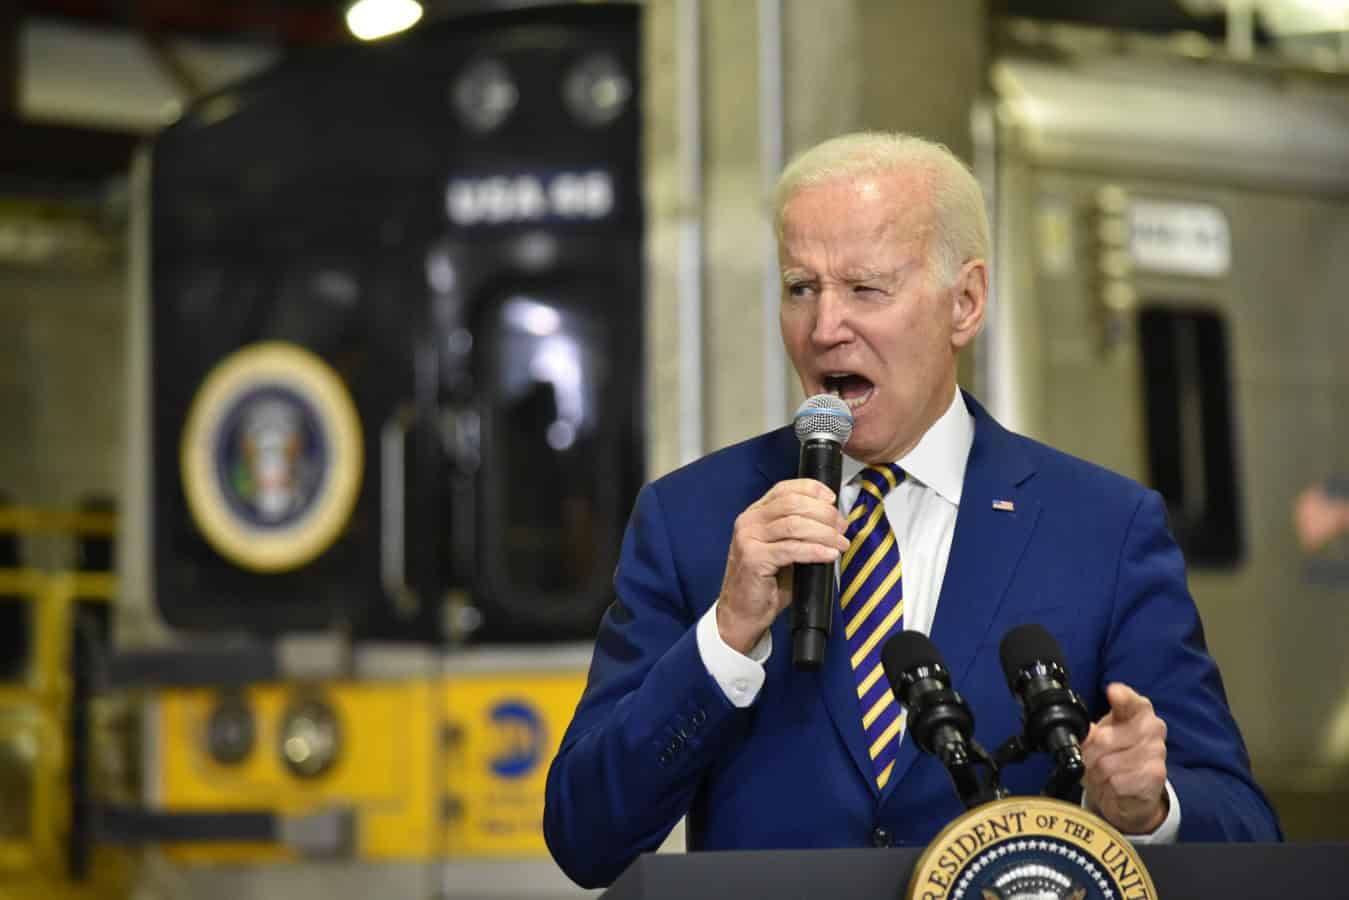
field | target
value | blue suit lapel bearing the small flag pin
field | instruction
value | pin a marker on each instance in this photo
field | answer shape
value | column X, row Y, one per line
column 985, row 550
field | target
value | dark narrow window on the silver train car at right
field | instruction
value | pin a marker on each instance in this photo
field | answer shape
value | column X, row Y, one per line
column 1190, row 430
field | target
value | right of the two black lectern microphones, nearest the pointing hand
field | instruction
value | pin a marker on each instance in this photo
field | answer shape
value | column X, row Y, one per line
column 1054, row 717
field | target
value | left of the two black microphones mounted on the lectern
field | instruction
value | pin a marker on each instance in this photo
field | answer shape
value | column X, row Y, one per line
column 941, row 721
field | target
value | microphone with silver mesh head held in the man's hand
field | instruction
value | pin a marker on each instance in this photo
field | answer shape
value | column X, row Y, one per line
column 824, row 424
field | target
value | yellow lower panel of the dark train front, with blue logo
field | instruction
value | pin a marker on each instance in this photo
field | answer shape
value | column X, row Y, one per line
column 432, row 768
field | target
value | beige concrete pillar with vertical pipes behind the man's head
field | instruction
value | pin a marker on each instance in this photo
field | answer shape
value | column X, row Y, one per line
column 845, row 65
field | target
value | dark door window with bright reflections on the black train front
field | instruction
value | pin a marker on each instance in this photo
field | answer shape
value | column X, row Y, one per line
column 551, row 507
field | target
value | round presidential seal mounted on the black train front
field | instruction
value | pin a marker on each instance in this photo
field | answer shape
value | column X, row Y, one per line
column 272, row 457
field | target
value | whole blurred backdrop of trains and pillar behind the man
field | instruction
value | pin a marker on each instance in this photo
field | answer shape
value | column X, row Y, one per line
column 337, row 341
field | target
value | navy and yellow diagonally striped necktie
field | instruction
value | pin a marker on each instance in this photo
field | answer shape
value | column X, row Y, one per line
column 873, row 607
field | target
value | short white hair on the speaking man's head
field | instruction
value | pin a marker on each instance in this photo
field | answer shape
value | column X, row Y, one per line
column 958, row 214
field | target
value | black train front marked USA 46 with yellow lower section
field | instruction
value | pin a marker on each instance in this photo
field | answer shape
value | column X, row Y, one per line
column 395, row 399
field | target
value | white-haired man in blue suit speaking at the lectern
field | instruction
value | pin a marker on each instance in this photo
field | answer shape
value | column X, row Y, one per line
column 693, row 705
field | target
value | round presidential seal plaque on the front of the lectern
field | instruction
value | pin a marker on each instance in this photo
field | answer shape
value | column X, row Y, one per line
column 1030, row 849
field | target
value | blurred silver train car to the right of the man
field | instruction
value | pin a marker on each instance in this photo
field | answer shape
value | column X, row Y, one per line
column 1172, row 250
